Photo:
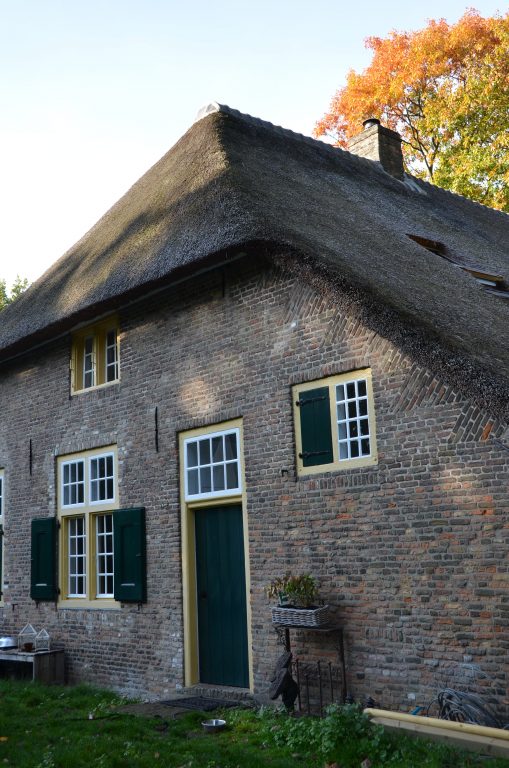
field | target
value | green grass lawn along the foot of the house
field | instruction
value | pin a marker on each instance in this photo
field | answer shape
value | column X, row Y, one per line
column 64, row 727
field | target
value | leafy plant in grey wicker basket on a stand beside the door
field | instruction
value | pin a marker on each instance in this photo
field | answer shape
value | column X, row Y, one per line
column 298, row 601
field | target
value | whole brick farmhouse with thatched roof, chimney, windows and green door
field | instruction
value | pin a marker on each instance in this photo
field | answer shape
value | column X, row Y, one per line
column 269, row 355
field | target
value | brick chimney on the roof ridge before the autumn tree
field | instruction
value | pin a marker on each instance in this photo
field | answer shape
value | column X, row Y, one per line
column 381, row 144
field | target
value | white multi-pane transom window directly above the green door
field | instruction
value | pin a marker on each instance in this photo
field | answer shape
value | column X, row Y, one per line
column 212, row 465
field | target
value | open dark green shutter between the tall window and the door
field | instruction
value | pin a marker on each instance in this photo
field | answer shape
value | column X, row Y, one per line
column 130, row 559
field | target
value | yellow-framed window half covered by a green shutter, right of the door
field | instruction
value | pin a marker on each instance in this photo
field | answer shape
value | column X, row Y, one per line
column 334, row 422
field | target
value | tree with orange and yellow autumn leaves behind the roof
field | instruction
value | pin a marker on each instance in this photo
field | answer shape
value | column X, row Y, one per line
column 445, row 89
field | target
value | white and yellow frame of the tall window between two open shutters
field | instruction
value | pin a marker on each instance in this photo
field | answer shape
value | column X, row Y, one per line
column 91, row 512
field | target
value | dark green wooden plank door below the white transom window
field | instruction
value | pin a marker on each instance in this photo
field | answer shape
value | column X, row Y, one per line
column 221, row 590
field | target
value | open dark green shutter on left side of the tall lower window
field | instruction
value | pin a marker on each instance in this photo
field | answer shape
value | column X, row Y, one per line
column 43, row 584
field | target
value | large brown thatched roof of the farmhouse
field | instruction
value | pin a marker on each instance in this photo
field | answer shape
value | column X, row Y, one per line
column 233, row 179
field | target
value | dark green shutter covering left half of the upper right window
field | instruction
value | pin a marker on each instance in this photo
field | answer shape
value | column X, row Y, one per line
column 315, row 427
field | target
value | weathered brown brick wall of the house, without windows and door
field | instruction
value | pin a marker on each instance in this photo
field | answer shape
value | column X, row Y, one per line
column 412, row 552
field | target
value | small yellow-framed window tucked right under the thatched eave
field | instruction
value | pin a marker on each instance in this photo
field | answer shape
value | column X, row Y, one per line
column 95, row 355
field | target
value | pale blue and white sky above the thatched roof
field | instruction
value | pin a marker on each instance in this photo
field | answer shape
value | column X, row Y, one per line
column 94, row 92
